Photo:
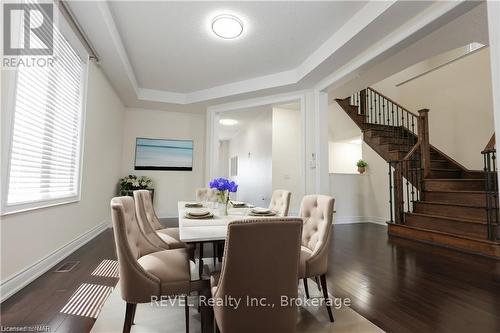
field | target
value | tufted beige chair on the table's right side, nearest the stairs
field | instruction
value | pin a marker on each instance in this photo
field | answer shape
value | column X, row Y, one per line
column 317, row 214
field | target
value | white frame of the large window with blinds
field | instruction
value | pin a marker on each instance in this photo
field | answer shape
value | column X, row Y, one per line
column 10, row 80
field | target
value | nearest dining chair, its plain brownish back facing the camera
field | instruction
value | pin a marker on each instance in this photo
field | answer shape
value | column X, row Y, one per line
column 269, row 271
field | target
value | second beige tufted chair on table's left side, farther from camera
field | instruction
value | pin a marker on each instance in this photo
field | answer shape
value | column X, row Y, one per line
column 167, row 238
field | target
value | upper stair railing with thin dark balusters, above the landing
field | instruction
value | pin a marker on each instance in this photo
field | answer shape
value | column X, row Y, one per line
column 382, row 113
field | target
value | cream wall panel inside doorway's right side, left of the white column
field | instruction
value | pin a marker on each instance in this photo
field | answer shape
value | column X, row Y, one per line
column 286, row 154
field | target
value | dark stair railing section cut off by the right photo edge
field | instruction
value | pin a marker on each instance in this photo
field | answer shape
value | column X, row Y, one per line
column 491, row 189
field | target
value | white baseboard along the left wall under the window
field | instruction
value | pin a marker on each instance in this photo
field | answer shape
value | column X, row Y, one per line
column 19, row 280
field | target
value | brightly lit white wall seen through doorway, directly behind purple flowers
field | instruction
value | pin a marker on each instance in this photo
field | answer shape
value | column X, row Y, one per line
column 255, row 171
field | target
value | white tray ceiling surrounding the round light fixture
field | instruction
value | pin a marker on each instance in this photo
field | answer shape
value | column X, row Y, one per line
column 162, row 55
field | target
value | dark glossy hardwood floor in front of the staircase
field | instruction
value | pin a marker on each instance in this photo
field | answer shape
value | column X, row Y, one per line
column 405, row 286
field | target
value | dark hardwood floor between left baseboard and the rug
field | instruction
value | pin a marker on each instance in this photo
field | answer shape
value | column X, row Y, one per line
column 39, row 303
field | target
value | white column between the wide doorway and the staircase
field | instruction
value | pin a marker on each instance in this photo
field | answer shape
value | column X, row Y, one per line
column 321, row 116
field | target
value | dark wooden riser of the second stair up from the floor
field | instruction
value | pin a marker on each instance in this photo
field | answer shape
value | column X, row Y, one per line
column 452, row 227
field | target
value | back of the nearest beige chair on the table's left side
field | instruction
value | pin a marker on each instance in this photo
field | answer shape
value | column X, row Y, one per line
column 136, row 284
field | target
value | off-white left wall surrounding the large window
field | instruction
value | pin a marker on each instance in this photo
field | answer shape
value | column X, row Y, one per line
column 33, row 235
